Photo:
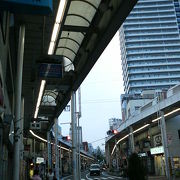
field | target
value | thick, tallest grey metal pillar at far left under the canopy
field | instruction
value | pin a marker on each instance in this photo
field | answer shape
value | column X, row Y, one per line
column 17, row 123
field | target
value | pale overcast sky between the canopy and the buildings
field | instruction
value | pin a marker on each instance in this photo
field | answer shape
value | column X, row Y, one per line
column 100, row 96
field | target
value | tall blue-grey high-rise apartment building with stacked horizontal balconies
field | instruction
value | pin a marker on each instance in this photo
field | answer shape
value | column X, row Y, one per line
column 150, row 46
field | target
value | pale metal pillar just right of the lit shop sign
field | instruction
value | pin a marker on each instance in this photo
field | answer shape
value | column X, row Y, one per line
column 165, row 144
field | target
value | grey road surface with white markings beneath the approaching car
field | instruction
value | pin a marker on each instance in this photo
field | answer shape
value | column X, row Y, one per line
column 103, row 176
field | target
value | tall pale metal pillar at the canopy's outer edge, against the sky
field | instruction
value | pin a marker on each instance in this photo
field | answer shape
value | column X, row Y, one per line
column 74, row 134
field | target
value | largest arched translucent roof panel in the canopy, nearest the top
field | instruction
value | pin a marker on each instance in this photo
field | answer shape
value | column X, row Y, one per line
column 77, row 20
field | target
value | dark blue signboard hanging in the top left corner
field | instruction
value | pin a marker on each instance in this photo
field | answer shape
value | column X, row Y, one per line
column 27, row 6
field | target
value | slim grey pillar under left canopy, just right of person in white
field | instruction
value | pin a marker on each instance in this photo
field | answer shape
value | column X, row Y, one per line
column 56, row 149
